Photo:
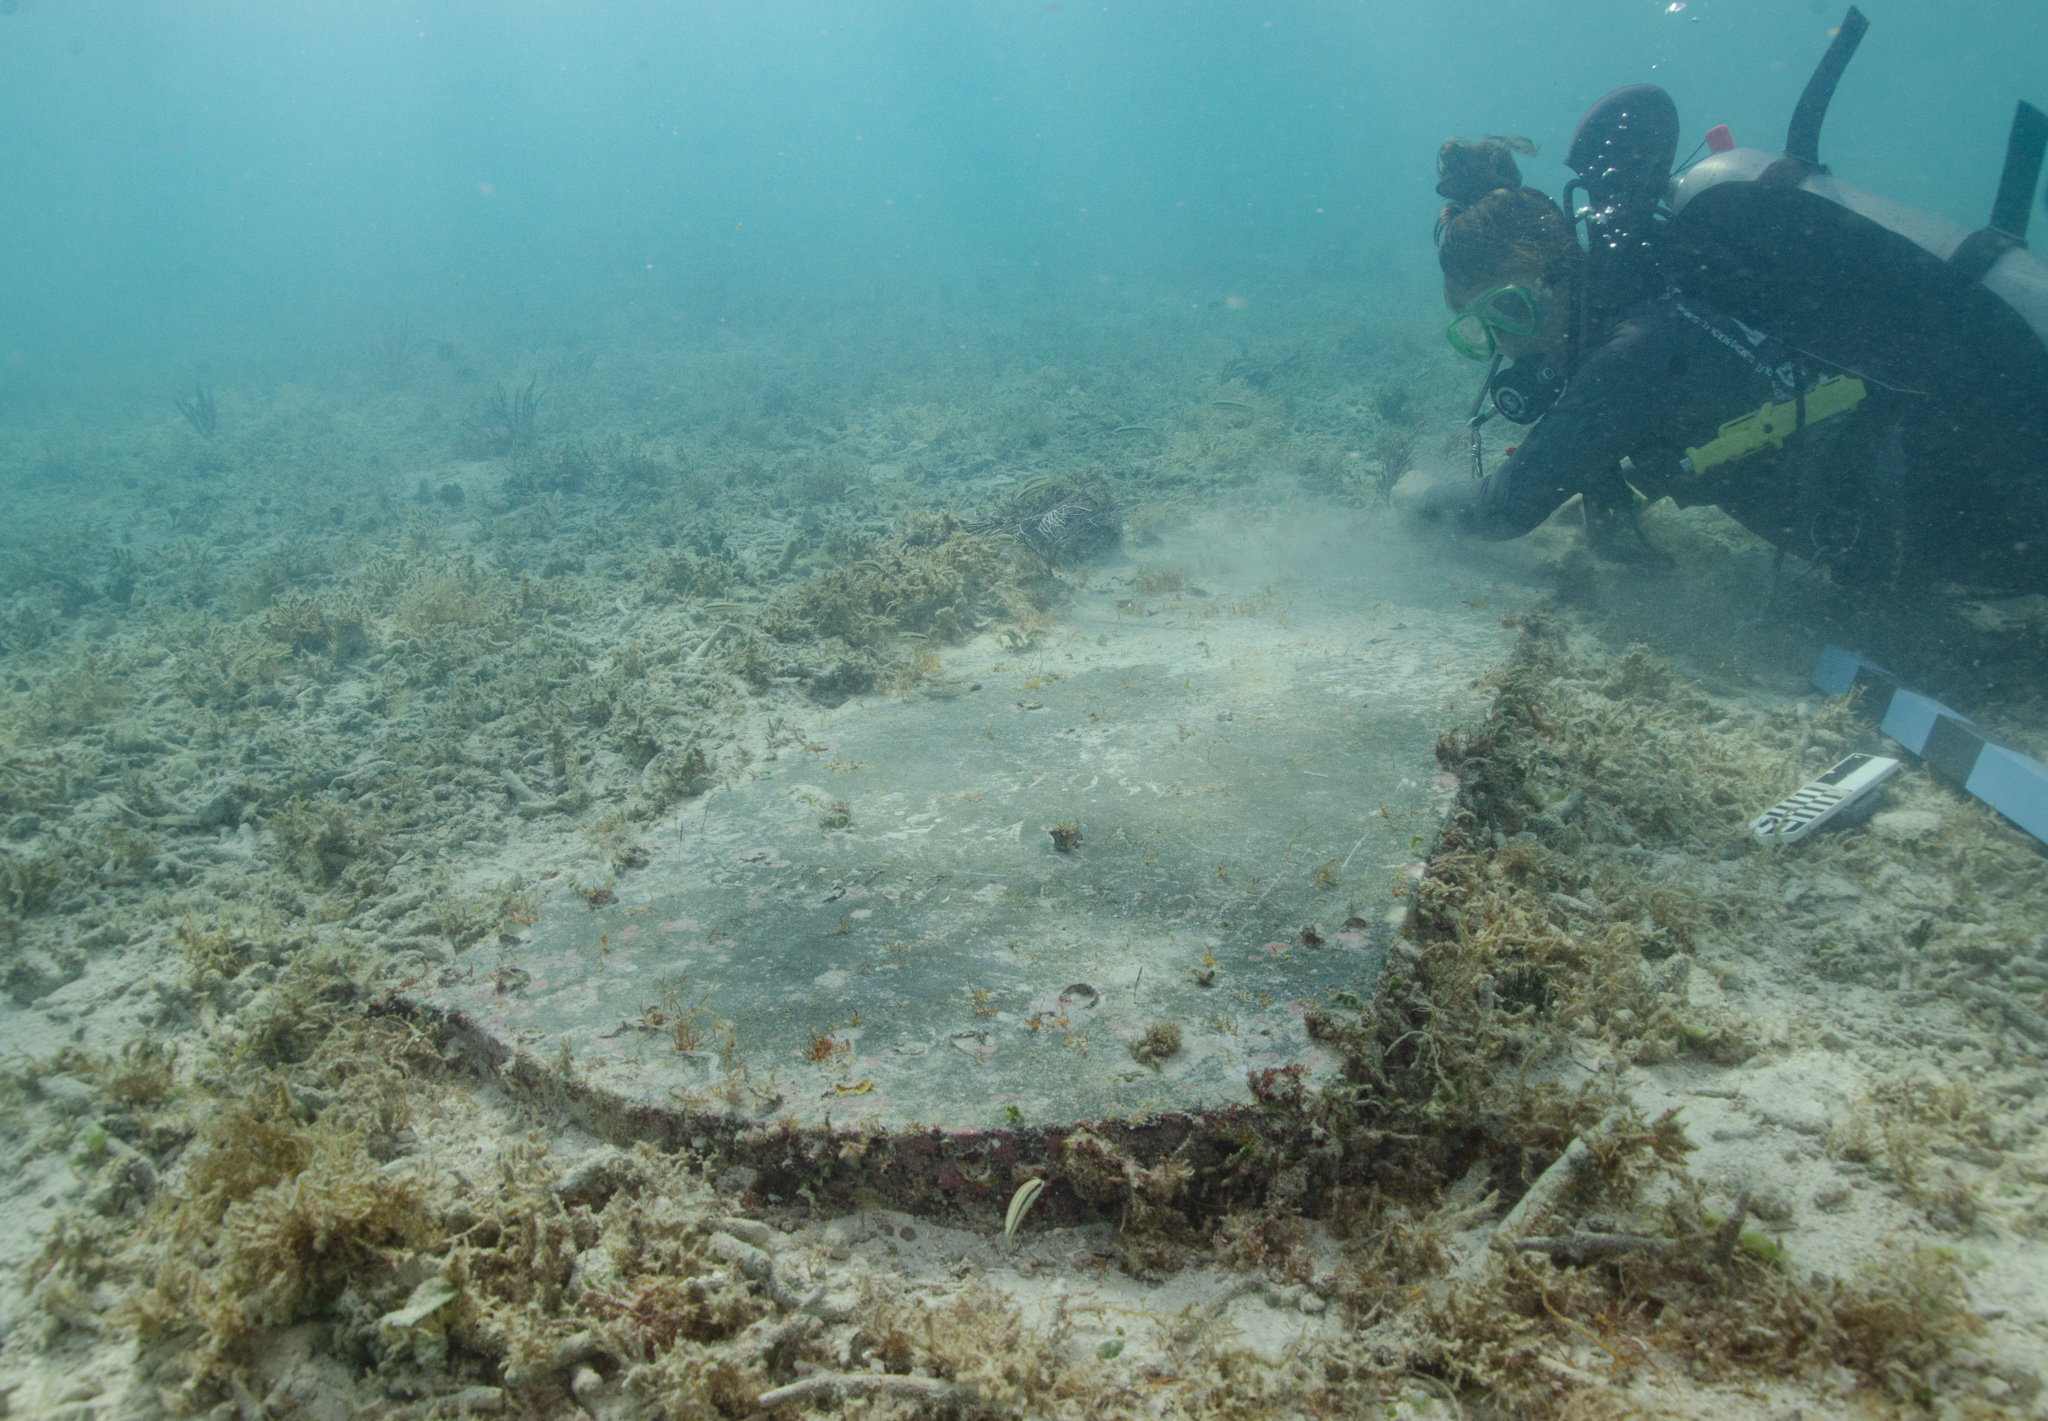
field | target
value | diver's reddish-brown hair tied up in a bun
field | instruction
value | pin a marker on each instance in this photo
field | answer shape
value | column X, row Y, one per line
column 1492, row 224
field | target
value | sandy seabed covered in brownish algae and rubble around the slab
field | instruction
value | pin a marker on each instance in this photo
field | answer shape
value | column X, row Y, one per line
column 327, row 697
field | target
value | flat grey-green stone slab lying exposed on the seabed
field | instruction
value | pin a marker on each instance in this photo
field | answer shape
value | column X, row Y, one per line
column 880, row 929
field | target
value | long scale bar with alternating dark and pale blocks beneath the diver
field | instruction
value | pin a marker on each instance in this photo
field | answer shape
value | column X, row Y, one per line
column 1949, row 742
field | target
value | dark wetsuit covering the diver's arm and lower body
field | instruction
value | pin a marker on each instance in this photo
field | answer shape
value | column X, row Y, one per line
column 1897, row 490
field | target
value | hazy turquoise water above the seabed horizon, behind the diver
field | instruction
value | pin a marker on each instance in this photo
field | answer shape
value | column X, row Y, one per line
column 249, row 187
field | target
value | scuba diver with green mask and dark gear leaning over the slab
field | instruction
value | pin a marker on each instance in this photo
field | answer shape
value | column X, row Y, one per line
column 1854, row 382
